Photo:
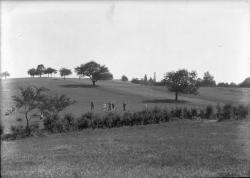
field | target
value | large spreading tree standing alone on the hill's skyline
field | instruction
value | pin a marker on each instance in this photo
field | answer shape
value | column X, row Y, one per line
column 94, row 71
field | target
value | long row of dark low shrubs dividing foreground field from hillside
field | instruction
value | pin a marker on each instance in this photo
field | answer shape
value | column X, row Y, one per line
column 57, row 124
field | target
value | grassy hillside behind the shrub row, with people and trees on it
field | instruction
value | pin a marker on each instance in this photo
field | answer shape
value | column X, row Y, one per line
column 136, row 96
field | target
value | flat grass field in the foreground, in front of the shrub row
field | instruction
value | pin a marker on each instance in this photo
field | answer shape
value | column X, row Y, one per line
column 182, row 148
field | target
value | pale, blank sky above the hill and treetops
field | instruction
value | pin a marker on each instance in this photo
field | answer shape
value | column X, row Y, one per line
column 131, row 38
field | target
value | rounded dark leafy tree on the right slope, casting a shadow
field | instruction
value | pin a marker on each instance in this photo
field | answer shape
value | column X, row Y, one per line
column 182, row 81
